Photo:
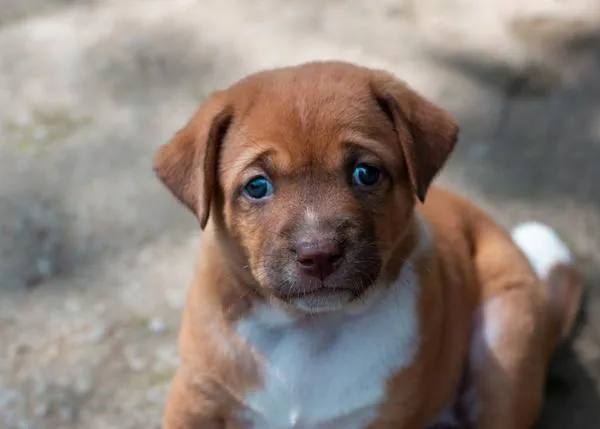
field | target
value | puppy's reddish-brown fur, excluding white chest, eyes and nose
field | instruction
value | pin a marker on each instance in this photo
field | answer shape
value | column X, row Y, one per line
column 294, row 125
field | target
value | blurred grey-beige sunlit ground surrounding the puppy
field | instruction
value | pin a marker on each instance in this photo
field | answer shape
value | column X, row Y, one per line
column 95, row 256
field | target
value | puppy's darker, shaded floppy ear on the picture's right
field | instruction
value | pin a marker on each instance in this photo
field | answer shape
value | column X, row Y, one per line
column 426, row 133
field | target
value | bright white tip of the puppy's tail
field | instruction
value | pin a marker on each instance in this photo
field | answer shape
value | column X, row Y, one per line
column 542, row 246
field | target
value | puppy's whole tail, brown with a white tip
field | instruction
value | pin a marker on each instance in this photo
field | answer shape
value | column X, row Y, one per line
column 553, row 262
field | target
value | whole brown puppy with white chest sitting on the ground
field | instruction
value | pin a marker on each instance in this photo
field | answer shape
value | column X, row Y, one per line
column 336, row 288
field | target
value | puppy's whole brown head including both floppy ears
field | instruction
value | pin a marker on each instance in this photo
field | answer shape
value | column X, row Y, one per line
column 311, row 173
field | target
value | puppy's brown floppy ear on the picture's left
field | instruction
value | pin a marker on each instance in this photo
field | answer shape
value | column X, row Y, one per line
column 188, row 164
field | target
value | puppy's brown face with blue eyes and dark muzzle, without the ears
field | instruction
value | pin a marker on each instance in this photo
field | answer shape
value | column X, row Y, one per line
column 311, row 191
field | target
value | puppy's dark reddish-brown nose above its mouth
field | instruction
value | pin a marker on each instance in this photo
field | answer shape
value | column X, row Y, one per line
column 318, row 258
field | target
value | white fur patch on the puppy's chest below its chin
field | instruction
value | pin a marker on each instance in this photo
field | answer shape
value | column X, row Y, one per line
column 330, row 371
